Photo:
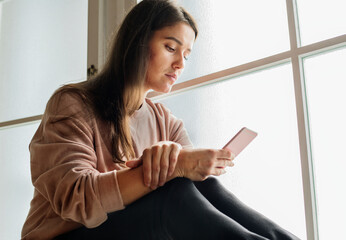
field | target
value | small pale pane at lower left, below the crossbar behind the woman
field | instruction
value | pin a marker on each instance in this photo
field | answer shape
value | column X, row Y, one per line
column 15, row 179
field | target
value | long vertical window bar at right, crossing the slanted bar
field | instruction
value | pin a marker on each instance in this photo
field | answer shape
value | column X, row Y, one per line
column 303, row 124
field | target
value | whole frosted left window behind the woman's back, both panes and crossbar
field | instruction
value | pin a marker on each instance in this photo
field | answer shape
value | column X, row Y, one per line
column 43, row 44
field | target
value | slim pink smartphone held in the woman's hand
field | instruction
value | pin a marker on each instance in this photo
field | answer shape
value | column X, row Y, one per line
column 240, row 140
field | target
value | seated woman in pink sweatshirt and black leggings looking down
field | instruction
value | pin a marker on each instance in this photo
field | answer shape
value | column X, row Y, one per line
column 107, row 163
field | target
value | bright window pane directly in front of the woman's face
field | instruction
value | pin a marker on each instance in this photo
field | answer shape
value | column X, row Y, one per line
column 232, row 33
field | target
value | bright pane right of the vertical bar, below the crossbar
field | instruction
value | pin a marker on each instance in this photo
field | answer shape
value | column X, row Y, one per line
column 325, row 77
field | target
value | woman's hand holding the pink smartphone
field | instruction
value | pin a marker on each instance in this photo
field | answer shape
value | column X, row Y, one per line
column 198, row 164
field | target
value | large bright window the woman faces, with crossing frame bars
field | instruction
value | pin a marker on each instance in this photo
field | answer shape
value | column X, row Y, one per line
column 236, row 41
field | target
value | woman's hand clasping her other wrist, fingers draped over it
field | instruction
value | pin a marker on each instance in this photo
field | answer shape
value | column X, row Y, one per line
column 159, row 163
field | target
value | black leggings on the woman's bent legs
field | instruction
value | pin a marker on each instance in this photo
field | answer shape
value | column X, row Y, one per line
column 183, row 209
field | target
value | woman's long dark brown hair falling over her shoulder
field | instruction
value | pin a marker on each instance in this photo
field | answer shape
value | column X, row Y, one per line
column 116, row 92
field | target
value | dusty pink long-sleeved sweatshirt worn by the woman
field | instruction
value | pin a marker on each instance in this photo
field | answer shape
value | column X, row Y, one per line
column 72, row 171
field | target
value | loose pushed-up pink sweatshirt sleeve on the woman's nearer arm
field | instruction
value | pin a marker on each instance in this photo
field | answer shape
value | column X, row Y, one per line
column 64, row 164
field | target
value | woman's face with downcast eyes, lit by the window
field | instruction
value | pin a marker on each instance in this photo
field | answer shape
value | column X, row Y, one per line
column 169, row 49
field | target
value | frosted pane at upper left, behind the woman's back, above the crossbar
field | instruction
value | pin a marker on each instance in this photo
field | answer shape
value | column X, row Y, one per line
column 42, row 45
